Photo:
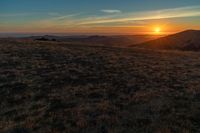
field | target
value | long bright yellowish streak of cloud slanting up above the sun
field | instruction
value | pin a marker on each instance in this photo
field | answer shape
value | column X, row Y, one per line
column 181, row 12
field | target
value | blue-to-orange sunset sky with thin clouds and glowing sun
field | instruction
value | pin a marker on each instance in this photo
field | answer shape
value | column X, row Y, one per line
column 99, row 16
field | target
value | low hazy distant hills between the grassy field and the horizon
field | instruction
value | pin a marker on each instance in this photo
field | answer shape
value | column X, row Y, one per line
column 120, row 40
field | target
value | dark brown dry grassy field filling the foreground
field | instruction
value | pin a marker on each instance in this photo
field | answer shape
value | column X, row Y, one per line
column 58, row 88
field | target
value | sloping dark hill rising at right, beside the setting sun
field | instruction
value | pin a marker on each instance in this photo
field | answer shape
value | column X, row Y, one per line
column 187, row 40
